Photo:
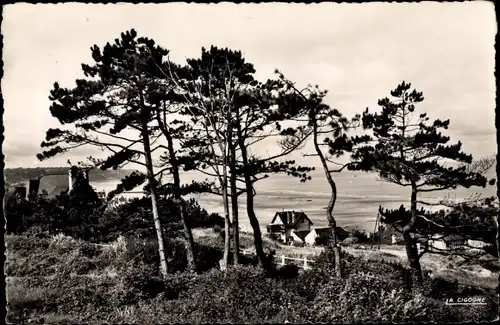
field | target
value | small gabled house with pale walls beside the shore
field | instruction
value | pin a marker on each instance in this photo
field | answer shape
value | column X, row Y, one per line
column 286, row 225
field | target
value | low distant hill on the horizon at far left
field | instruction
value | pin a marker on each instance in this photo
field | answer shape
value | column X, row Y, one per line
column 16, row 175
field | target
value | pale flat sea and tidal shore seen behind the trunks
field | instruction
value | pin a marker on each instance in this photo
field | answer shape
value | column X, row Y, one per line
column 359, row 196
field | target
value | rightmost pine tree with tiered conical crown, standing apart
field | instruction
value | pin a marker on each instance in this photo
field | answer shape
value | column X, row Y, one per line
column 410, row 151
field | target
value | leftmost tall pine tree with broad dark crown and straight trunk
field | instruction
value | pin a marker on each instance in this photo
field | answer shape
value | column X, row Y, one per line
column 109, row 109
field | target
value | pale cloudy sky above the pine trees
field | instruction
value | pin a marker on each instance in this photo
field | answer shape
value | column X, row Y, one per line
column 358, row 52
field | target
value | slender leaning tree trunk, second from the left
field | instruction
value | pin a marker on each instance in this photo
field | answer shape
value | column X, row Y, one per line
column 180, row 201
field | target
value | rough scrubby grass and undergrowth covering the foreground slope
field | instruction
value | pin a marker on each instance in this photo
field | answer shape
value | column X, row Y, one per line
column 62, row 280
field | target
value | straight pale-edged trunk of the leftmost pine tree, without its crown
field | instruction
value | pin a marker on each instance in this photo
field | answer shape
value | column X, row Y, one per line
column 154, row 201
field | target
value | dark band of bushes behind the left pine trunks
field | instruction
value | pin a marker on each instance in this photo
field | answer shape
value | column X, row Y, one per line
column 94, row 221
